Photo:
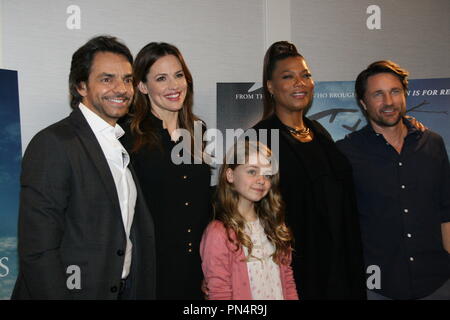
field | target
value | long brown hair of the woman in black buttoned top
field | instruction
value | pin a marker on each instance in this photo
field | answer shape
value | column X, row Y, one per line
column 141, row 126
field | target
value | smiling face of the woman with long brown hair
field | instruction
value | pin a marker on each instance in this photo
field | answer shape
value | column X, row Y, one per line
column 166, row 85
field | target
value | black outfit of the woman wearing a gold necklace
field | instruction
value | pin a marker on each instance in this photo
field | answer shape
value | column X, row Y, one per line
column 317, row 188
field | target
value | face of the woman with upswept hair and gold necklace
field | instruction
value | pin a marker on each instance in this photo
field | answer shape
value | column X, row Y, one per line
column 291, row 85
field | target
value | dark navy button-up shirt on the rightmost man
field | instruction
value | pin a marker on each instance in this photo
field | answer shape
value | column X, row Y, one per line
column 402, row 199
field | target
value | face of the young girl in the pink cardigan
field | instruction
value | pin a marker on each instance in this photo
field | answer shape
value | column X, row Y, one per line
column 252, row 180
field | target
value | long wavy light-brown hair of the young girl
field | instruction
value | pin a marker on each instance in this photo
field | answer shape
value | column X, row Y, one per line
column 270, row 209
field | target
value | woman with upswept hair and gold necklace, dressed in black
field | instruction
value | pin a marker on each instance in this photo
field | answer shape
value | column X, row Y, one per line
column 316, row 183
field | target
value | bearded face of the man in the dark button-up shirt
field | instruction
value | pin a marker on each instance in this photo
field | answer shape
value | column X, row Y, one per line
column 384, row 100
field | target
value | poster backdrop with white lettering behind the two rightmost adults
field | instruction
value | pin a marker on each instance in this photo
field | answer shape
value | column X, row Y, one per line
column 239, row 105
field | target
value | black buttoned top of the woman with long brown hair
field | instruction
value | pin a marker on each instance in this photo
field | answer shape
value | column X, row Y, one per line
column 179, row 198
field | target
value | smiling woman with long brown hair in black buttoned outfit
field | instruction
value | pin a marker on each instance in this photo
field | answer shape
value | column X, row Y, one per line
column 177, row 194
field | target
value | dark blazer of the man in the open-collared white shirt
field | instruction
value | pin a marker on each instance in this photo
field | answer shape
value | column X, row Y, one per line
column 70, row 215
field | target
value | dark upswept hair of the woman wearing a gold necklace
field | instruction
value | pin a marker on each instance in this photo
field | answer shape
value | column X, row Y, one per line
column 277, row 51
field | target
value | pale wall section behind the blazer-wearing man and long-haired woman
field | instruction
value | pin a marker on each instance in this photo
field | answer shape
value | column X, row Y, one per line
column 220, row 40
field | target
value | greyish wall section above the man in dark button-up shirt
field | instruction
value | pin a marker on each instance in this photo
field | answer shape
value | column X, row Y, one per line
column 334, row 38
